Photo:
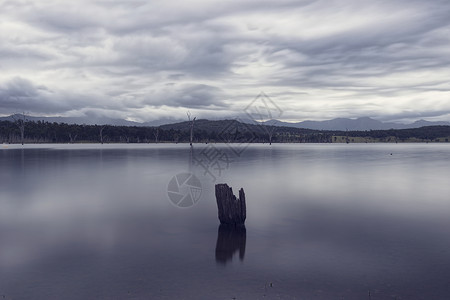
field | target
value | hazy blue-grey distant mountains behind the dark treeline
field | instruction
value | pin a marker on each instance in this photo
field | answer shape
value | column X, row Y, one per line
column 359, row 124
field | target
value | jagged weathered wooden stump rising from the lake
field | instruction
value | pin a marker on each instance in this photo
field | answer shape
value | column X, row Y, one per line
column 232, row 210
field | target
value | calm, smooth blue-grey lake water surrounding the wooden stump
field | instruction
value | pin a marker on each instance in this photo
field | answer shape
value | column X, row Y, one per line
column 357, row 221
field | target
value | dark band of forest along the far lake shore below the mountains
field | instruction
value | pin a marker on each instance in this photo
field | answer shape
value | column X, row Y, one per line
column 205, row 131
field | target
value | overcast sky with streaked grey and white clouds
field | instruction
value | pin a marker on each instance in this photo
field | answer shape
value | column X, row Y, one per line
column 145, row 60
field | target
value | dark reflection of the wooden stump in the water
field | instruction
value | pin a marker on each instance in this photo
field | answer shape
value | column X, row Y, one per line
column 230, row 239
